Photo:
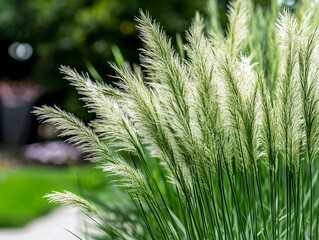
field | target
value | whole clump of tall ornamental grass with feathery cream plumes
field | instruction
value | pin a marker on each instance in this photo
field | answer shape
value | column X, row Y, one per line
column 223, row 143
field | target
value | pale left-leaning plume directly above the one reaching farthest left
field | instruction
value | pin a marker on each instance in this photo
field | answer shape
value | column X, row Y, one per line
column 112, row 123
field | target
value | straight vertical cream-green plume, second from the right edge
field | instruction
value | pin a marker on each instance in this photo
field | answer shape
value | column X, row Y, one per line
column 288, row 92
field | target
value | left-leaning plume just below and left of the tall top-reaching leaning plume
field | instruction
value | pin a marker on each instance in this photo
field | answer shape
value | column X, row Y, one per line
column 143, row 111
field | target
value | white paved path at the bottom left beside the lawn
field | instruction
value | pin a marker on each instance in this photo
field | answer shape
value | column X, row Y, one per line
column 50, row 227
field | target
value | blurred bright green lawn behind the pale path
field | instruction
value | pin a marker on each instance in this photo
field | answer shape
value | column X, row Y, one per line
column 22, row 189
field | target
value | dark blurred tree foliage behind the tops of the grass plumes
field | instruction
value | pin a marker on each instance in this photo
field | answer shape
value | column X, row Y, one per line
column 81, row 33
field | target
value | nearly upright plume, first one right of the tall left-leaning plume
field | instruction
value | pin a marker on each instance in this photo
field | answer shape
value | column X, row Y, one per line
column 205, row 106
